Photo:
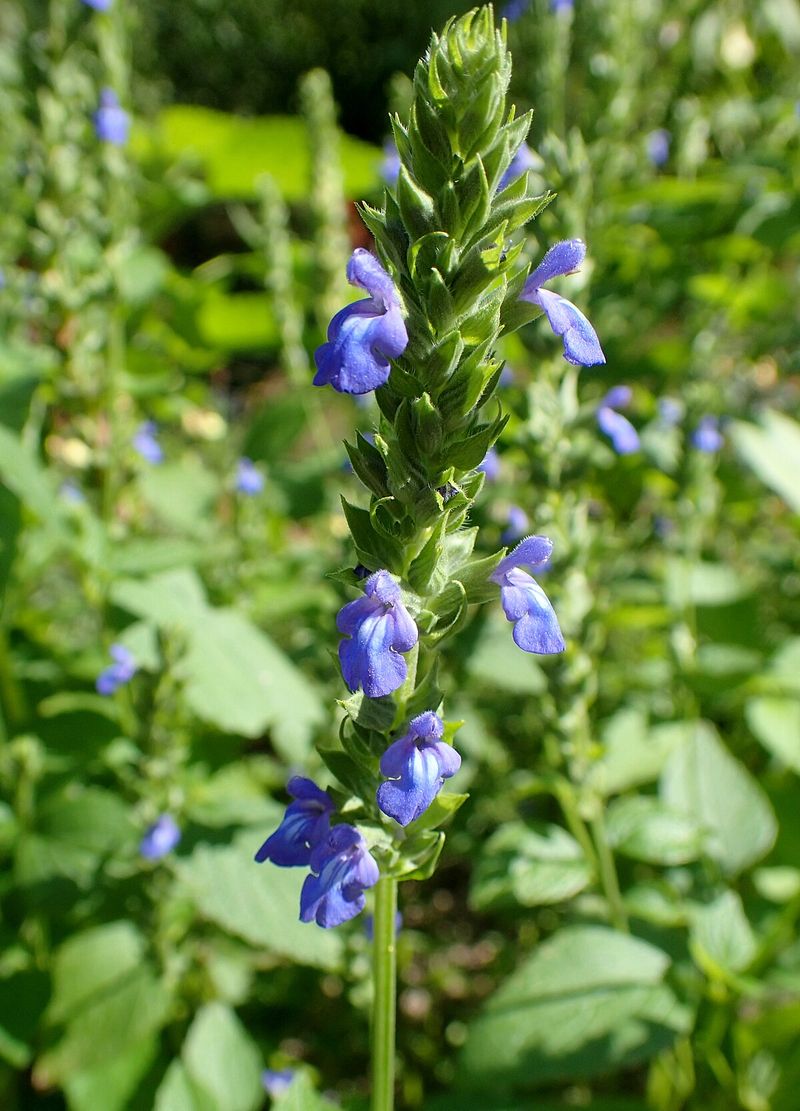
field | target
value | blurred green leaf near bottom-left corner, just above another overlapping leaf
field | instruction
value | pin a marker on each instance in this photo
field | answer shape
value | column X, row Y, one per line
column 88, row 963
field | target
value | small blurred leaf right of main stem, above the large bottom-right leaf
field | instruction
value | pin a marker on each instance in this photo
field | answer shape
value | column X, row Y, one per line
column 529, row 867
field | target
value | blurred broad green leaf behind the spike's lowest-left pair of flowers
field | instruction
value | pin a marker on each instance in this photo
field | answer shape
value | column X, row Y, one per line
column 257, row 903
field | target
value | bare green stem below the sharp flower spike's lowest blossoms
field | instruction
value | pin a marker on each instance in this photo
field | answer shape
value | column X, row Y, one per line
column 384, row 1008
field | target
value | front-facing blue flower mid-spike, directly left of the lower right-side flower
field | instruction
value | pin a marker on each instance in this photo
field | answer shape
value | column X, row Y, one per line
column 381, row 628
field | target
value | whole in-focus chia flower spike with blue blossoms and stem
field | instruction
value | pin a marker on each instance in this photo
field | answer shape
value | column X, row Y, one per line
column 448, row 279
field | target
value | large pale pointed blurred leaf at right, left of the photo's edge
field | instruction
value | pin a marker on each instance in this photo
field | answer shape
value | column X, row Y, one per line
column 704, row 782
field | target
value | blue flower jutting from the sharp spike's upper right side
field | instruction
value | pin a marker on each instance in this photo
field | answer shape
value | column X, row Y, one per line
column 582, row 344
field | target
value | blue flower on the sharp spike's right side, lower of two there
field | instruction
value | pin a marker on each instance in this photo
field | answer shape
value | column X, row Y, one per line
column 525, row 603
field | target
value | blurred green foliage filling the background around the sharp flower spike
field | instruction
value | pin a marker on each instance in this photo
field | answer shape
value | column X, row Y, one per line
column 614, row 924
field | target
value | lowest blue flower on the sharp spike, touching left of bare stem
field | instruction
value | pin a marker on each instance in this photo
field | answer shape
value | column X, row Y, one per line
column 343, row 869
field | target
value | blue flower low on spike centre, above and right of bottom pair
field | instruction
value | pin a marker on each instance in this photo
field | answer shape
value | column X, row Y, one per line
column 417, row 766
